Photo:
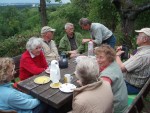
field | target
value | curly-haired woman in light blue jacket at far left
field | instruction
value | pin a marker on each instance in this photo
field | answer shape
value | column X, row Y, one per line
column 12, row 99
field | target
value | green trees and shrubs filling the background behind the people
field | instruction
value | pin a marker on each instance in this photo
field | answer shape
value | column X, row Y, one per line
column 18, row 25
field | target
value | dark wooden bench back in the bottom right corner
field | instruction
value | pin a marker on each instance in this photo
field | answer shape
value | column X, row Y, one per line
column 138, row 103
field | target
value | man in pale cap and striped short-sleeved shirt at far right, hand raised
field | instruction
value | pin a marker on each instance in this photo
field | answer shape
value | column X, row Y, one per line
column 137, row 68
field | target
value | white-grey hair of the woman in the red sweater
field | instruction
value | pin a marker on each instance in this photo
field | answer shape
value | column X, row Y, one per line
column 32, row 43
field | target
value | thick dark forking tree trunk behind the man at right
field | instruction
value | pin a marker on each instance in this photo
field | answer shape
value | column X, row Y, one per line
column 128, row 13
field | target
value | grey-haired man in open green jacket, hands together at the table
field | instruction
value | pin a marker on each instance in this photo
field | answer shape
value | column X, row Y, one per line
column 71, row 43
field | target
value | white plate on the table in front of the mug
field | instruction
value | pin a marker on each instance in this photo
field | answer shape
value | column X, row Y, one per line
column 67, row 87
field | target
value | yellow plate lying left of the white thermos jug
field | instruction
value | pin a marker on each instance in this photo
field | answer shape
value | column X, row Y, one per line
column 42, row 80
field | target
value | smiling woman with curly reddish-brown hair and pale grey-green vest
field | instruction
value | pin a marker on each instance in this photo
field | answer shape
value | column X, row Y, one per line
column 111, row 72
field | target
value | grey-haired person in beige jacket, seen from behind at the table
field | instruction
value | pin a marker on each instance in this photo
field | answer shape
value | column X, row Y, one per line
column 94, row 96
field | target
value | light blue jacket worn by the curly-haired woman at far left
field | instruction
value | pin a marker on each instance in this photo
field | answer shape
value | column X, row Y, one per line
column 12, row 99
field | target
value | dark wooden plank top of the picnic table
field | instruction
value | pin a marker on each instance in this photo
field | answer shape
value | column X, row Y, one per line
column 53, row 97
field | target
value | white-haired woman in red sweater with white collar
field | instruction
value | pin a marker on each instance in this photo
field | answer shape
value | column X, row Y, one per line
column 32, row 61
